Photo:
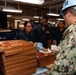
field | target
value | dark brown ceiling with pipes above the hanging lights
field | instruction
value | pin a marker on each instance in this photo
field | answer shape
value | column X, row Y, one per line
column 30, row 10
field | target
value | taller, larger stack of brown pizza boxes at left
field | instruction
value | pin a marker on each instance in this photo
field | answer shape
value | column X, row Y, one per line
column 18, row 57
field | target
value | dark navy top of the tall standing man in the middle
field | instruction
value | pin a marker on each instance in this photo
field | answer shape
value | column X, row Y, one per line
column 42, row 35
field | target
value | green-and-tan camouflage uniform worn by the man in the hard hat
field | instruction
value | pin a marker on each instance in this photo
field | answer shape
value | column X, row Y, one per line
column 65, row 63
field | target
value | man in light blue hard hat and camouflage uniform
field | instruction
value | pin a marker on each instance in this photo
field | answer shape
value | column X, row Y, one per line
column 65, row 63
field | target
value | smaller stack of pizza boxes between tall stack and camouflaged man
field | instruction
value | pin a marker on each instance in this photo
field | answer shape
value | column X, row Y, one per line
column 45, row 59
